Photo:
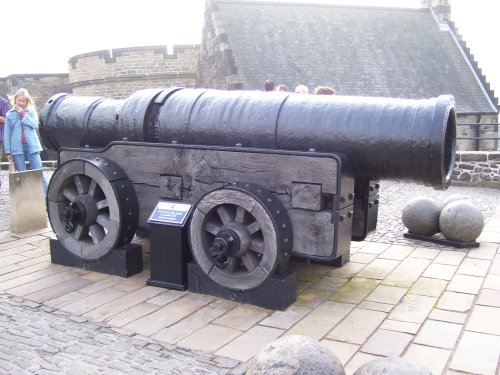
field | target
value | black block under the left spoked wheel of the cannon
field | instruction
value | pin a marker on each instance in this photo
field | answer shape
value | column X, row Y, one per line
column 124, row 261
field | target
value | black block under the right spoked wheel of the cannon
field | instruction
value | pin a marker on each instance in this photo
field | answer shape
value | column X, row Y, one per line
column 277, row 292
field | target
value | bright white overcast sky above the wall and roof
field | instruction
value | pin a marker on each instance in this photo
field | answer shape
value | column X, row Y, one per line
column 48, row 33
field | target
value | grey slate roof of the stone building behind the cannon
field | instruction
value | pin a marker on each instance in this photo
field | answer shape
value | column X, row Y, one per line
column 368, row 51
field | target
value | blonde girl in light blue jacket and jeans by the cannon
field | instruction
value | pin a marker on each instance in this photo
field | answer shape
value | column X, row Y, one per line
column 20, row 134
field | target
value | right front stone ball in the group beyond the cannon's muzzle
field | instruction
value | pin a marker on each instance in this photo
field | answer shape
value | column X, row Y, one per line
column 461, row 221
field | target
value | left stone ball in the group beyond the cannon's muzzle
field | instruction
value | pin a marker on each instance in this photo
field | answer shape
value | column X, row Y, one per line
column 421, row 216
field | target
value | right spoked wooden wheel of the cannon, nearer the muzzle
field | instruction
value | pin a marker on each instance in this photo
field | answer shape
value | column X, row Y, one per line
column 239, row 235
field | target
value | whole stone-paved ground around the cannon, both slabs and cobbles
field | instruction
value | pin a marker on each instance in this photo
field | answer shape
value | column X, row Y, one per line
column 434, row 304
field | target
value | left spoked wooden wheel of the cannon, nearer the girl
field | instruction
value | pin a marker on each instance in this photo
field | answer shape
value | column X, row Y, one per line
column 92, row 207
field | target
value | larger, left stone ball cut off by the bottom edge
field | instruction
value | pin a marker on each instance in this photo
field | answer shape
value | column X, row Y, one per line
column 295, row 354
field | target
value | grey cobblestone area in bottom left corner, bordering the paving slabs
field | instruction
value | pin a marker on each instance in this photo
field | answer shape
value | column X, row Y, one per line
column 35, row 339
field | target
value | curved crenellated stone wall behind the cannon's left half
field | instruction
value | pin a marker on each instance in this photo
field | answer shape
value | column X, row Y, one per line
column 120, row 72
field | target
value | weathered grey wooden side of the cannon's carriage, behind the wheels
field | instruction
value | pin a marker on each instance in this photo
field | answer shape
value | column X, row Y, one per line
column 304, row 184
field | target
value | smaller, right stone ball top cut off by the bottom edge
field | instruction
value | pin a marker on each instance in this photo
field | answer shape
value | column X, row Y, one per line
column 391, row 366
